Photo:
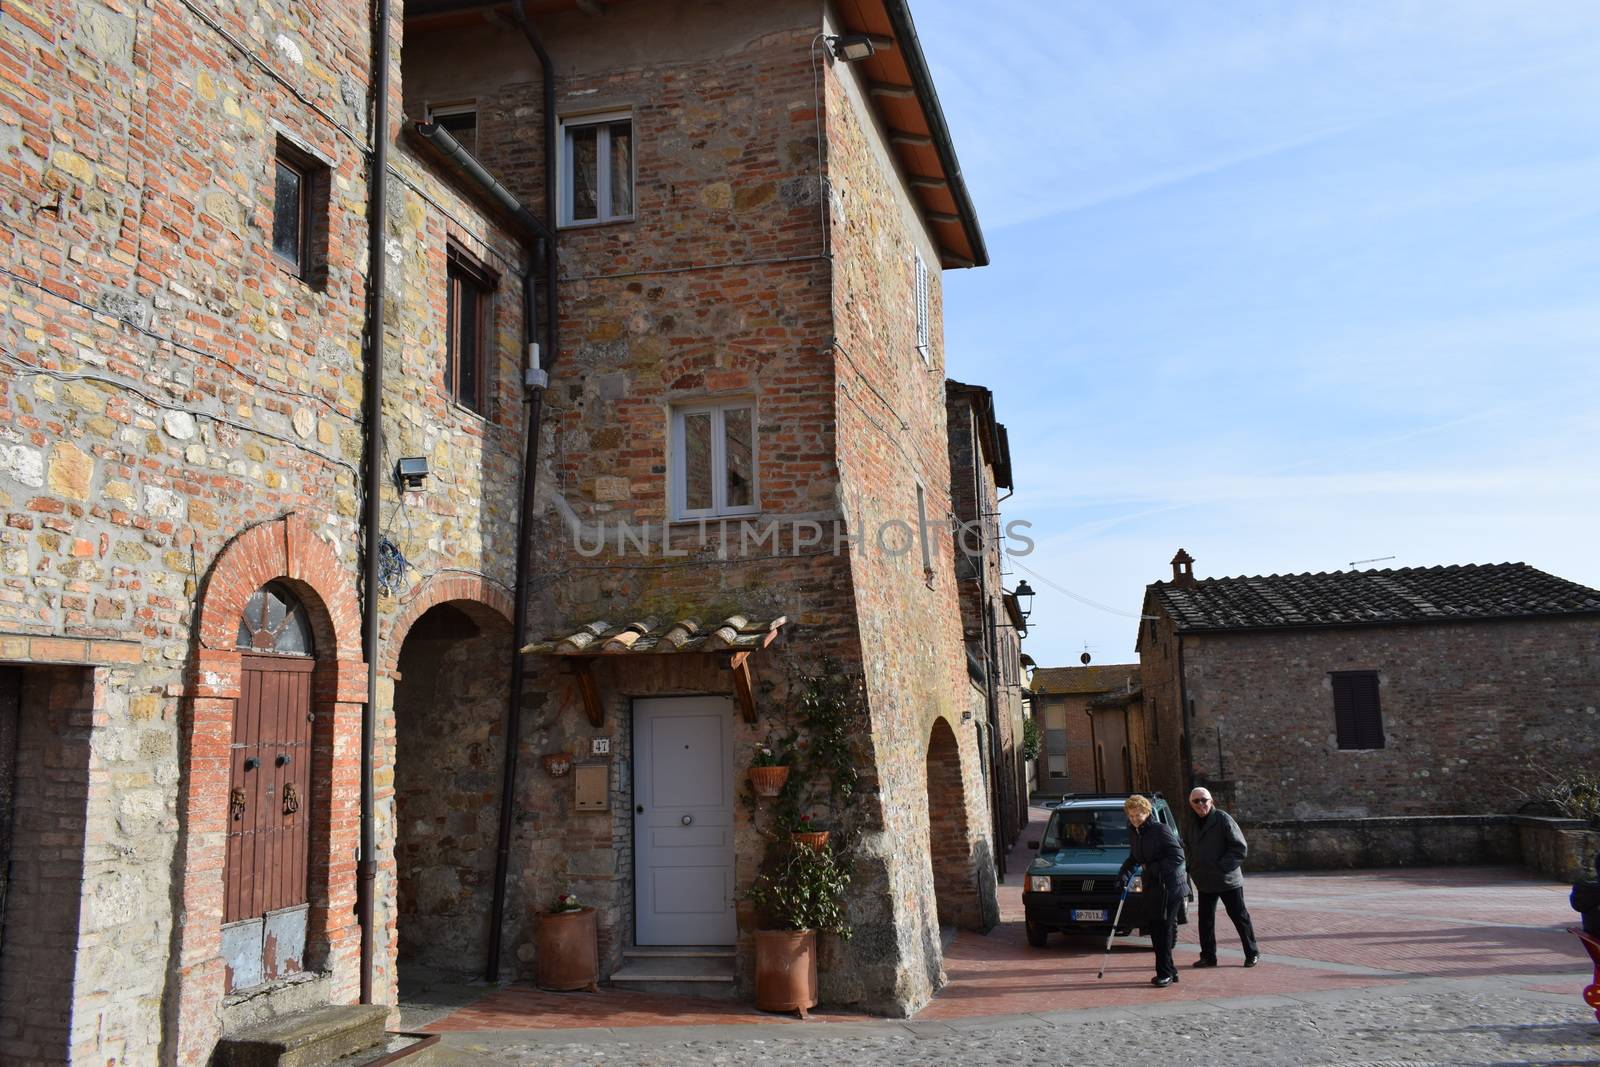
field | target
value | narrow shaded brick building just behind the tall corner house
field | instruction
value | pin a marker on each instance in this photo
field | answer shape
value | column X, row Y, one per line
column 993, row 618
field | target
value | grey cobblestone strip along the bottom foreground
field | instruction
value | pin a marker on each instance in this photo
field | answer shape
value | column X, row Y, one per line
column 1442, row 1021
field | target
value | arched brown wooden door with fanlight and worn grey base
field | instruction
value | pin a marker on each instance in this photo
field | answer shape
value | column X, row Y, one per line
column 270, row 794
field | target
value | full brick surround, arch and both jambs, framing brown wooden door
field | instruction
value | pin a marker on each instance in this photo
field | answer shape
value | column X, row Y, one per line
column 282, row 549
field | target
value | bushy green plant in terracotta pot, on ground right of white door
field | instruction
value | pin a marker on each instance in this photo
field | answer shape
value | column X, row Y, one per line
column 799, row 895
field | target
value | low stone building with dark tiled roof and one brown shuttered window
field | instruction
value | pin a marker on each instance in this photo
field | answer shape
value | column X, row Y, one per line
column 1370, row 695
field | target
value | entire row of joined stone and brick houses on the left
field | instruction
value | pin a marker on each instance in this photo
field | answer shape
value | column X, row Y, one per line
column 220, row 588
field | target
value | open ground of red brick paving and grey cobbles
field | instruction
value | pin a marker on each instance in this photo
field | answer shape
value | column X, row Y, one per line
column 1367, row 967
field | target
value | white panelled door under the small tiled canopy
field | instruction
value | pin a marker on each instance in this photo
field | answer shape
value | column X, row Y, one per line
column 684, row 821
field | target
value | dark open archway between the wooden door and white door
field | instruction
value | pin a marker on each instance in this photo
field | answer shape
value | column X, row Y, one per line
column 450, row 717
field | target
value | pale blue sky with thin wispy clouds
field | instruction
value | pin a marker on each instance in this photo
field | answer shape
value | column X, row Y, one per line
column 1284, row 284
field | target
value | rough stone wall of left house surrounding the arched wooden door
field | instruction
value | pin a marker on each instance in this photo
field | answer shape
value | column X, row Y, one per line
column 169, row 385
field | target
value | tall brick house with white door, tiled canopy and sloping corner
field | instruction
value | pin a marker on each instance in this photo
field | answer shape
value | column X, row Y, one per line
column 746, row 431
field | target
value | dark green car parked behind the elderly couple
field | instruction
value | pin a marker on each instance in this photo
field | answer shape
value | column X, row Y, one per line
column 1071, row 887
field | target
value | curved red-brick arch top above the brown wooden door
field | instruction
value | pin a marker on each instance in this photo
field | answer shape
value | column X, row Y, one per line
column 282, row 549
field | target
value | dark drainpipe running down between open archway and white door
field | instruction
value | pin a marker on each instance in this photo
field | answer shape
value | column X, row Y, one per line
column 535, row 401
